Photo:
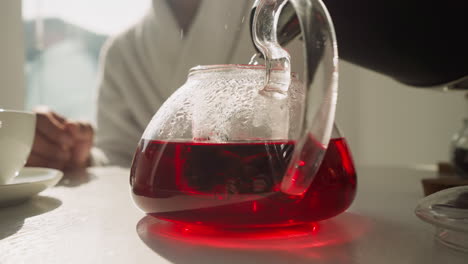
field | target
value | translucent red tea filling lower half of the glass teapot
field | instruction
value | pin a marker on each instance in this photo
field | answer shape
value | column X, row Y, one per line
column 237, row 184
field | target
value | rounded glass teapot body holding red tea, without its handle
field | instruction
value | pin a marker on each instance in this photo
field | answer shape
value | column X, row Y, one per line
column 217, row 152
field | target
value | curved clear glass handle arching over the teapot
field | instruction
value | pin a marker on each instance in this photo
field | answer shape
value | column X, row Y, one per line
column 321, row 53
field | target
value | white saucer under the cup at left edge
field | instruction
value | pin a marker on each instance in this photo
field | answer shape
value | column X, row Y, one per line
column 29, row 182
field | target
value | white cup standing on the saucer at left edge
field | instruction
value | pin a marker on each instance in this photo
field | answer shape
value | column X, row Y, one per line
column 16, row 139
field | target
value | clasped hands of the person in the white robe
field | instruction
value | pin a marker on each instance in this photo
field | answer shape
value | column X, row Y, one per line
column 60, row 143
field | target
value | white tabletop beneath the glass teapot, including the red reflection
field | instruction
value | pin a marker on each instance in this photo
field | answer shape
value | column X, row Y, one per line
column 95, row 221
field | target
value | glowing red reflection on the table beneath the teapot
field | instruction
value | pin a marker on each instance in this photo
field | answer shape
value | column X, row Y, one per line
column 339, row 230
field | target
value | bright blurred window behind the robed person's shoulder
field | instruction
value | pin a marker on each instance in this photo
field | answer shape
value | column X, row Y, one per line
column 63, row 39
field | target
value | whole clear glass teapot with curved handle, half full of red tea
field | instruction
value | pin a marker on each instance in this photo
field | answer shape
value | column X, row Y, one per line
column 249, row 145
